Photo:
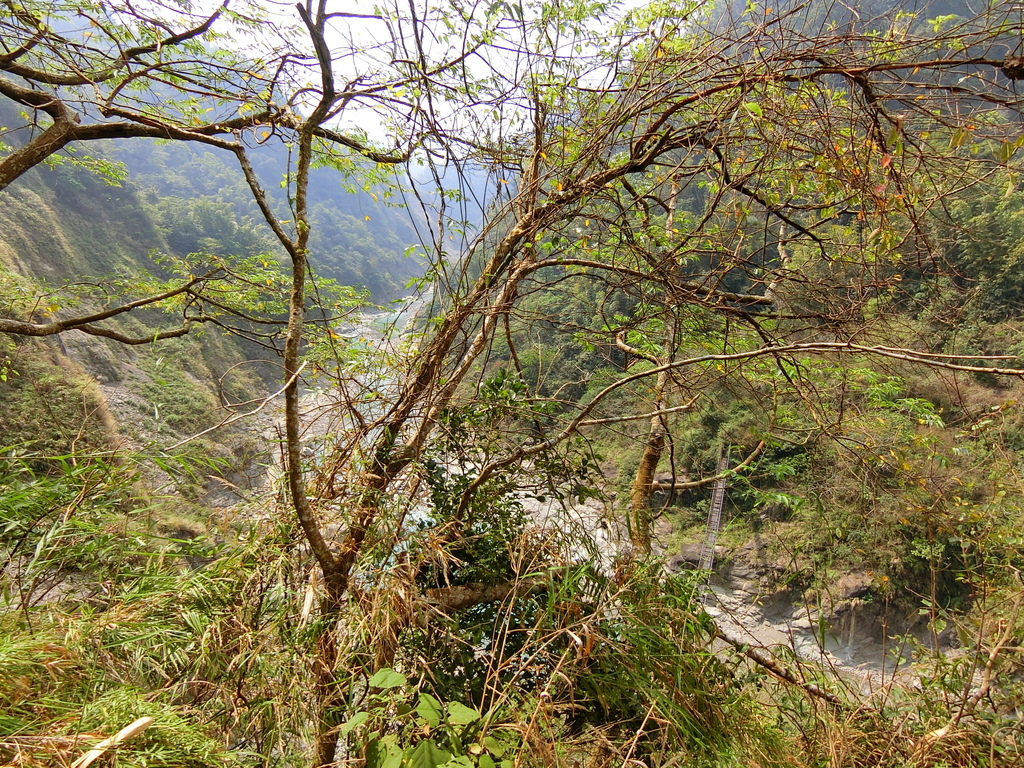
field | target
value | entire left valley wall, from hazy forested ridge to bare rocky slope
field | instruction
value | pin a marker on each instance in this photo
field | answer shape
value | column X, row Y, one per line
column 72, row 240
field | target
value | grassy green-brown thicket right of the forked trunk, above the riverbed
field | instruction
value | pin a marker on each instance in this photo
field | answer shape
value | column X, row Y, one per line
column 575, row 662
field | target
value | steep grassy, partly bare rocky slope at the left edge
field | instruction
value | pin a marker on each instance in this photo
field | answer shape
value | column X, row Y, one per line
column 68, row 244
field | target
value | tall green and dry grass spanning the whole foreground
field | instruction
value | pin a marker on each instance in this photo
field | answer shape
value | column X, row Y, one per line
column 106, row 621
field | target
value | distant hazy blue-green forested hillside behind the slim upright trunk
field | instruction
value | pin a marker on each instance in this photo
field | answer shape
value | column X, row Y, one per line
column 200, row 202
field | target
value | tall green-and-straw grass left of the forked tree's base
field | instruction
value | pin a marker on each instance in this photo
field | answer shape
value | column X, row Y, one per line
column 105, row 621
